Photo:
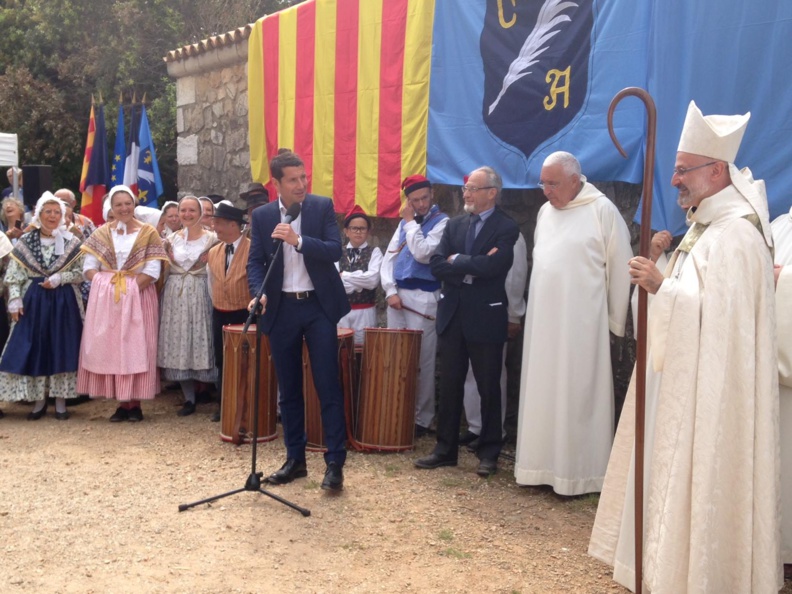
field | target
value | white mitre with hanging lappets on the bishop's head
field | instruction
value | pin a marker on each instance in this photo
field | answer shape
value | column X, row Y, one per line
column 718, row 137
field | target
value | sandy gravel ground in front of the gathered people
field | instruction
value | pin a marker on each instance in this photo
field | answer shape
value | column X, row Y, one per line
column 90, row 506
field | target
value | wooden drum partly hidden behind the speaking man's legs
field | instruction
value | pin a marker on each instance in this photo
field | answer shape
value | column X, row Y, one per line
column 346, row 368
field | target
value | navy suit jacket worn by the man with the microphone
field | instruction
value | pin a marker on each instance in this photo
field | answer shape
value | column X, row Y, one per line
column 321, row 248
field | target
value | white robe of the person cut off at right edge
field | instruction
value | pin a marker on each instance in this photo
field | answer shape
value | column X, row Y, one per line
column 782, row 240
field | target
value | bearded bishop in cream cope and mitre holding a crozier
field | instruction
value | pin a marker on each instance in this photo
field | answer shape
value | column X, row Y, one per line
column 711, row 486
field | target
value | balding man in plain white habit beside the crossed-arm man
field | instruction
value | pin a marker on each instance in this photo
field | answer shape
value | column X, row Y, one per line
column 579, row 293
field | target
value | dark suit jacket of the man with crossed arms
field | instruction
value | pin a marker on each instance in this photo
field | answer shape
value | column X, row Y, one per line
column 483, row 304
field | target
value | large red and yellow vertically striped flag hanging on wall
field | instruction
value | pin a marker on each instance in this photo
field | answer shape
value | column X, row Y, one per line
column 345, row 84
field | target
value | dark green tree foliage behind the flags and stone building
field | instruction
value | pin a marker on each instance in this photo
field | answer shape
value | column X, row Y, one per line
column 56, row 54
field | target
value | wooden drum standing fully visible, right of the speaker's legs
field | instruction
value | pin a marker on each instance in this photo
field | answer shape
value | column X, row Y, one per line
column 388, row 383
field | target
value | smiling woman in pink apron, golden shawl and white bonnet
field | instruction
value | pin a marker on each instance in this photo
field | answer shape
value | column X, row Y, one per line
column 118, row 356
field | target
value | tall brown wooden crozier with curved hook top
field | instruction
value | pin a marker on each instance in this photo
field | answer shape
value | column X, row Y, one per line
column 641, row 352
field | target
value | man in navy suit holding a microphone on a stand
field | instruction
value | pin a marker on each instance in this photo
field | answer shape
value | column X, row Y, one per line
column 304, row 299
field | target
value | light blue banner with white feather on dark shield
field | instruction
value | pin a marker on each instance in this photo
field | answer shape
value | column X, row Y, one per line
column 514, row 80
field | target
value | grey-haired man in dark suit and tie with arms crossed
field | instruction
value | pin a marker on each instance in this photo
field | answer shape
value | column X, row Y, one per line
column 472, row 261
